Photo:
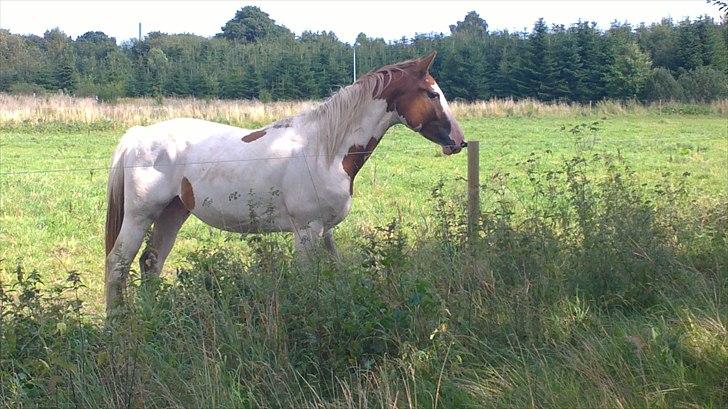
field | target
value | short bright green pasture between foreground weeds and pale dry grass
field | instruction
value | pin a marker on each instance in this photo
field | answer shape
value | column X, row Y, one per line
column 53, row 183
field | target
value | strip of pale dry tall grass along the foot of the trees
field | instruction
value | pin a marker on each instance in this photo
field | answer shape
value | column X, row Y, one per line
column 24, row 109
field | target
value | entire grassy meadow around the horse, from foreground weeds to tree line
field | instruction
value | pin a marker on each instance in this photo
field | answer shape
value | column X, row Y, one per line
column 598, row 277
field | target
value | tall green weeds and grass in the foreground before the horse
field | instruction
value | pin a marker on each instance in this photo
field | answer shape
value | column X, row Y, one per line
column 597, row 291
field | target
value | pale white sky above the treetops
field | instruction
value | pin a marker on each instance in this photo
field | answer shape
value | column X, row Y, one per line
column 390, row 20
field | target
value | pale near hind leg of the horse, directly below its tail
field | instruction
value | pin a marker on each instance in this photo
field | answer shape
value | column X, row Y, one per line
column 120, row 257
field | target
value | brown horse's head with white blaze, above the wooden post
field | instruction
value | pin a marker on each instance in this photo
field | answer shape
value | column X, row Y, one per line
column 421, row 105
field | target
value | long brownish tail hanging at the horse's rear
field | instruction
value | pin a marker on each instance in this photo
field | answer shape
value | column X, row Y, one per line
column 115, row 199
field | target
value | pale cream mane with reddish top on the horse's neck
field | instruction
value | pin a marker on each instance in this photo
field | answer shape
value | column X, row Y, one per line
column 340, row 115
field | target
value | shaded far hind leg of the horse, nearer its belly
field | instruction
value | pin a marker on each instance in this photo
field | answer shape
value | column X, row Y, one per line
column 164, row 233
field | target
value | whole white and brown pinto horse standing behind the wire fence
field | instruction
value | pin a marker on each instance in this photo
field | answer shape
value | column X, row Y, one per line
column 302, row 168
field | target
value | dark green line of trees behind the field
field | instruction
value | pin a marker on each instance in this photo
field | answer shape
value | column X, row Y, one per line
column 253, row 57
